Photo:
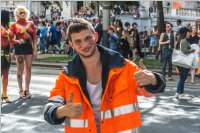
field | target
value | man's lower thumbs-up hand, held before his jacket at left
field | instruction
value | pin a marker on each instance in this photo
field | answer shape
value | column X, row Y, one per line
column 72, row 110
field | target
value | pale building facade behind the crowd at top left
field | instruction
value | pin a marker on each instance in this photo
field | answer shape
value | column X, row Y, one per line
column 37, row 9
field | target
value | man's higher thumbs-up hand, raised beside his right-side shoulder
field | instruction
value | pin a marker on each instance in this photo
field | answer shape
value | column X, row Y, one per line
column 144, row 77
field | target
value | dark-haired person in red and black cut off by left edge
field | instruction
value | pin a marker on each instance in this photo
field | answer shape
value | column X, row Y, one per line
column 5, row 54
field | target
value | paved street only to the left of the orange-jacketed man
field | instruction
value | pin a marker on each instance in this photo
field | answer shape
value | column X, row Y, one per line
column 26, row 116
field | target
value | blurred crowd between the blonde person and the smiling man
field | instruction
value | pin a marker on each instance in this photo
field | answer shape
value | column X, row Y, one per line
column 52, row 34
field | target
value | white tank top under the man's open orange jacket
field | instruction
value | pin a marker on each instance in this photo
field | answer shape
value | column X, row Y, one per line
column 95, row 93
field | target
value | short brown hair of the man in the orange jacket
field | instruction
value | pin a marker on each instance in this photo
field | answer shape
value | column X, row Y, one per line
column 77, row 26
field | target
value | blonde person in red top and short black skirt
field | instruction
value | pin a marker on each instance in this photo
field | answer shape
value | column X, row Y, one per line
column 23, row 34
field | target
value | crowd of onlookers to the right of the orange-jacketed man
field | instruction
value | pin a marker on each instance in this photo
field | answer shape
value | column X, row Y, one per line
column 126, row 39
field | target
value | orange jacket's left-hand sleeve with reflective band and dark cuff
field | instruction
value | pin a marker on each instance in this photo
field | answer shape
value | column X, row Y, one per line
column 55, row 100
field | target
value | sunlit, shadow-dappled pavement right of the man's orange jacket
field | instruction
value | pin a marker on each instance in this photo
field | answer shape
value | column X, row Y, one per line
column 166, row 114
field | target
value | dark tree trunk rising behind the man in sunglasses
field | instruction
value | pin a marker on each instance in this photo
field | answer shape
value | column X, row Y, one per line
column 161, row 23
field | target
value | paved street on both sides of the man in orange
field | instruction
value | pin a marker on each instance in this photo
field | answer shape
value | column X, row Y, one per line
column 161, row 114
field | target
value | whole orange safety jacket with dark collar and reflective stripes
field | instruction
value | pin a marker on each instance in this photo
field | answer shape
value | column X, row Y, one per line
column 119, row 105
